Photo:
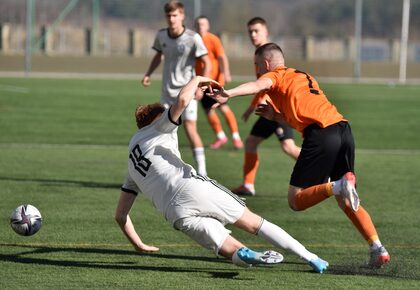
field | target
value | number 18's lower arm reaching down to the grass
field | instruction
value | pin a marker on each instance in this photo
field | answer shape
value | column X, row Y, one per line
column 123, row 219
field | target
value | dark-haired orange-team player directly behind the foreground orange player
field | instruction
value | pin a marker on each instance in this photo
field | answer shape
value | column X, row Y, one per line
column 263, row 128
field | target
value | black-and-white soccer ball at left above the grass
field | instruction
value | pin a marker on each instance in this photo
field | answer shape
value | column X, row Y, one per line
column 26, row 220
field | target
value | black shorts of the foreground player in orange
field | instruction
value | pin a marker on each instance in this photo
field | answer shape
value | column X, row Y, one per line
column 326, row 153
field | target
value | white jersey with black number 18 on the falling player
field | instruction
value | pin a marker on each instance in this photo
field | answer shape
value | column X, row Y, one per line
column 154, row 165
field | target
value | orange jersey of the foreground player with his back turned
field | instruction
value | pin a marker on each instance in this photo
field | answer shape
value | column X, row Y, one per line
column 298, row 97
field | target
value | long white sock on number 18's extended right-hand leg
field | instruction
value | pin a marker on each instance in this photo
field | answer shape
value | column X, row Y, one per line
column 280, row 238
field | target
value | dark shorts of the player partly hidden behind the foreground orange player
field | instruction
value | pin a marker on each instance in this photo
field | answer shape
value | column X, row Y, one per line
column 264, row 128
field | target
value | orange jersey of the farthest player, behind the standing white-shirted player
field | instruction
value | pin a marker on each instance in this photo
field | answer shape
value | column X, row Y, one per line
column 215, row 50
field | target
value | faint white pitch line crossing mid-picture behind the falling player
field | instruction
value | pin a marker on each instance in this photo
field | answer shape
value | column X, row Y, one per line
column 107, row 147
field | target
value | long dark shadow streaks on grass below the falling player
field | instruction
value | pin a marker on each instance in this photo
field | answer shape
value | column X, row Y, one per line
column 22, row 258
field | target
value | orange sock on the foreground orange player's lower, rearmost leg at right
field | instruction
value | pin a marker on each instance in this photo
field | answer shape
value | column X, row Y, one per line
column 362, row 221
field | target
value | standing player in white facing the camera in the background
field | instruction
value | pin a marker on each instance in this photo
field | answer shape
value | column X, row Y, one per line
column 179, row 47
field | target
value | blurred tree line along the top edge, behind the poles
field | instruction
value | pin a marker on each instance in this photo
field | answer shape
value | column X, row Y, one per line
column 320, row 18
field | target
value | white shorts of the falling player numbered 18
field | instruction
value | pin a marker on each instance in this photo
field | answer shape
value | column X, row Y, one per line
column 201, row 210
